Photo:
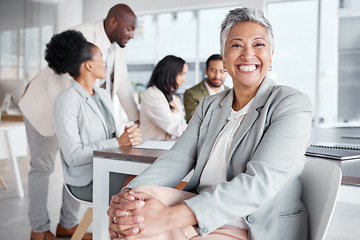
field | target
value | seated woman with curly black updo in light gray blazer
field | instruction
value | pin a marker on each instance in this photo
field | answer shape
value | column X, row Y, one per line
column 83, row 115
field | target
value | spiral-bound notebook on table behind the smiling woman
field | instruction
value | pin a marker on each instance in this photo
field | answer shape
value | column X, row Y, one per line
column 338, row 151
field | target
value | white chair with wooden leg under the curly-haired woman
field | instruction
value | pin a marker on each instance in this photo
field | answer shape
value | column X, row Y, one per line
column 86, row 219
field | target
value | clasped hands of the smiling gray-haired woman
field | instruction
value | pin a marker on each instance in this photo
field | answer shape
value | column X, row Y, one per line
column 137, row 215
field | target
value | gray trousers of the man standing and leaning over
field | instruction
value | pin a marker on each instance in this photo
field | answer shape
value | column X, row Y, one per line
column 43, row 152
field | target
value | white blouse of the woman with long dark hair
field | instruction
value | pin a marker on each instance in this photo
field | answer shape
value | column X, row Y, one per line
column 157, row 121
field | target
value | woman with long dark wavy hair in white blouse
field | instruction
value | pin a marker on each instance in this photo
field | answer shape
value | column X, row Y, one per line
column 161, row 112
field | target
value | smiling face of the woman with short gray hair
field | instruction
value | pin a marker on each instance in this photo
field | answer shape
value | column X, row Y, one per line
column 247, row 55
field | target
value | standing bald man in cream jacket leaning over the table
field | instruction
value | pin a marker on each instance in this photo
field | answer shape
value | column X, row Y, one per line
column 111, row 36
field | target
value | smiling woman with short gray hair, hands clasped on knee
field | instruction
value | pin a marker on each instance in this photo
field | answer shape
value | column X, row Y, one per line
column 246, row 146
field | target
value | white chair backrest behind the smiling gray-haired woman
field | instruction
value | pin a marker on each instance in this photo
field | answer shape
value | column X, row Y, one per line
column 321, row 181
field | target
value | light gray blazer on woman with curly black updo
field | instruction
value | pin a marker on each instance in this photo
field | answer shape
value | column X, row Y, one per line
column 80, row 129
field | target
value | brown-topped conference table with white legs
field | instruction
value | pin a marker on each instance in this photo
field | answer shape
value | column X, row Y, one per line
column 133, row 161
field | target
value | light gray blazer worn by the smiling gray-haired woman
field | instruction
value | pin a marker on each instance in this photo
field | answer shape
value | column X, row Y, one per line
column 265, row 161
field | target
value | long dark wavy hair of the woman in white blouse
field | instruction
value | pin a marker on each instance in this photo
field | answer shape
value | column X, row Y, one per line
column 164, row 75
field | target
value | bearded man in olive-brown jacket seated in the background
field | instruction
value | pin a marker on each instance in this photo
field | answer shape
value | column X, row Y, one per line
column 209, row 86
